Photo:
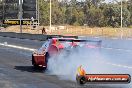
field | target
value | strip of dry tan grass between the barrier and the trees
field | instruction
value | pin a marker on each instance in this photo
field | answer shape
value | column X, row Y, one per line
column 75, row 30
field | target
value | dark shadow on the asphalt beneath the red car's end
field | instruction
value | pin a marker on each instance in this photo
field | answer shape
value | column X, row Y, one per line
column 29, row 69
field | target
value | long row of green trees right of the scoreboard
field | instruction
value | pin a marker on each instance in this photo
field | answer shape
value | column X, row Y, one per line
column 93, row 13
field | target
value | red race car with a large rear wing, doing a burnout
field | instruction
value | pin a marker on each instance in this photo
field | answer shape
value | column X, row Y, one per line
column 54, row 46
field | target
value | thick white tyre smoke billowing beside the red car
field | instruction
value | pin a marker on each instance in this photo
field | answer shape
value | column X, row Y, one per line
column 92, row 60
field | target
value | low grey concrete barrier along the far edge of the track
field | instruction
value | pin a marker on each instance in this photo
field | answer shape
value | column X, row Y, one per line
column 39, row 37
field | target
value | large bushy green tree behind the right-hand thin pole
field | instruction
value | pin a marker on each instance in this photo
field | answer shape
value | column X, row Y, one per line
column 113, row 15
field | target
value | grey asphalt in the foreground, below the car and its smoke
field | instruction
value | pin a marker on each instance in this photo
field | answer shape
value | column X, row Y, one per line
column 17, row 72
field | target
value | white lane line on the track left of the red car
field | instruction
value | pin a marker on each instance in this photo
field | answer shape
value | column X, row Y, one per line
column 17, row 47
